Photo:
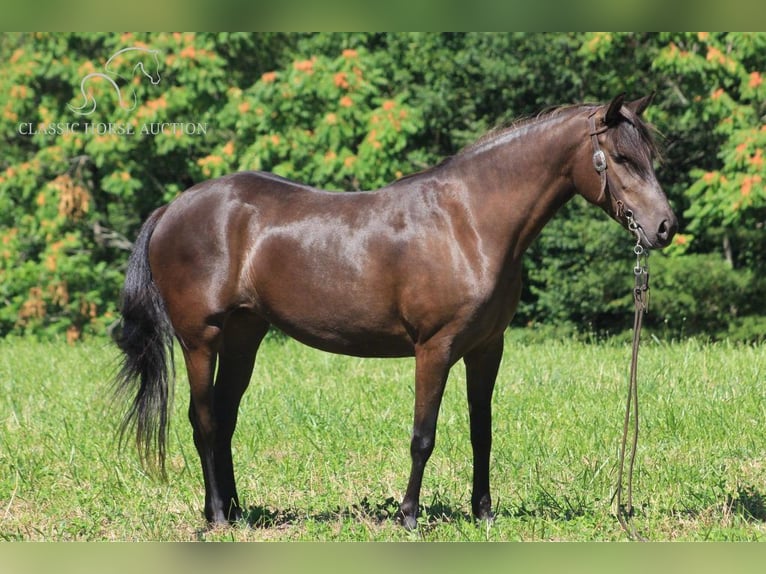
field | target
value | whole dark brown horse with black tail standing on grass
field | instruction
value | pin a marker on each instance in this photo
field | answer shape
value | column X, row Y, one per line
column 429, row 266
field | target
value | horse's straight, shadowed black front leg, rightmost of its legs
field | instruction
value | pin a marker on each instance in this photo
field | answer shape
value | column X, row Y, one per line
column 481, row 371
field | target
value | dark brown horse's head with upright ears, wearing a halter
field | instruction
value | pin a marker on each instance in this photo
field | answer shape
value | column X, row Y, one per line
column 621, row 178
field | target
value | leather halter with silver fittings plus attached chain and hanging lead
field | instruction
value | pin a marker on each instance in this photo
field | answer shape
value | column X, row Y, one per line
column 641, row 303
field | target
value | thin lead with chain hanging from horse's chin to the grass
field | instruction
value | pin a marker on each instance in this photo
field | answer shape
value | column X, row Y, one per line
column 641, row 303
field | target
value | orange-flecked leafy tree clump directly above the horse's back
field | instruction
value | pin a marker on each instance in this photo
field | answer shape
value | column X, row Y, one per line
column 322, row 120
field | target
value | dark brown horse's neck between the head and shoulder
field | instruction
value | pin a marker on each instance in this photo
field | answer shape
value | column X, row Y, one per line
column 517, row 182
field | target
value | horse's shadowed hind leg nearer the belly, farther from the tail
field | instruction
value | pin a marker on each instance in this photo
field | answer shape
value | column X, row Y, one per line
column 243, row 334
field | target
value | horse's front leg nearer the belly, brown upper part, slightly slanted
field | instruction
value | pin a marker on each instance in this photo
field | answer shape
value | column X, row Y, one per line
column 431, row 370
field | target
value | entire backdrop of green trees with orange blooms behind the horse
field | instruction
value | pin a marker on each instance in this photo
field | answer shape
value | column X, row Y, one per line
column 355, row 111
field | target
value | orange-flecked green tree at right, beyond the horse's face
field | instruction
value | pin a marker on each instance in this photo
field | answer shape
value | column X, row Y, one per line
column 721, row 74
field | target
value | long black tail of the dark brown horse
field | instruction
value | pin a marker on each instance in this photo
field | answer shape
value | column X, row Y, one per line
column 146, row 339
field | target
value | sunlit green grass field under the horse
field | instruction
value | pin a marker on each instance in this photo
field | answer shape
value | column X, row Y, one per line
column 321, row 450
